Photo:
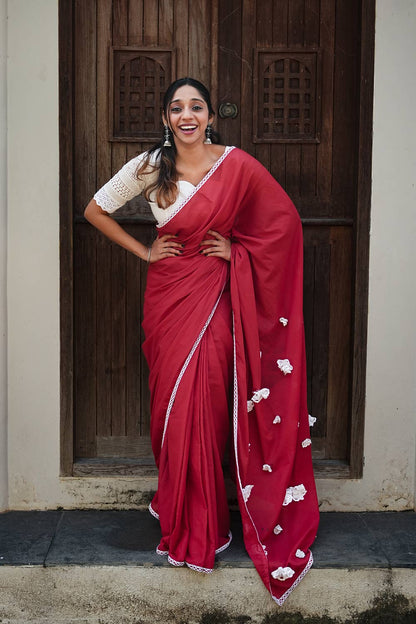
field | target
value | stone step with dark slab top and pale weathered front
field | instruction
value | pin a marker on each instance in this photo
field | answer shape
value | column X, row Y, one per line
column 100, row 566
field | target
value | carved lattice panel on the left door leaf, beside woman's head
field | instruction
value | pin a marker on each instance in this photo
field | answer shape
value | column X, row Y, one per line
column 139, row 80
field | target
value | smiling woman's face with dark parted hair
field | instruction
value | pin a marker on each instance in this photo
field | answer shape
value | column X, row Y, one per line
column 188, row 116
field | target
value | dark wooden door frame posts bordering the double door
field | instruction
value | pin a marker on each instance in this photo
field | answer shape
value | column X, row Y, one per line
column 354, row 468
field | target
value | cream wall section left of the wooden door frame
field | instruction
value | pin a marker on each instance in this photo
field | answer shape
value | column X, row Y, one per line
column 33, row 252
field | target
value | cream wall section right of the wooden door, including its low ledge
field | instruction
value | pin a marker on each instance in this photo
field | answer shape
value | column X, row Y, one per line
column 390, row 417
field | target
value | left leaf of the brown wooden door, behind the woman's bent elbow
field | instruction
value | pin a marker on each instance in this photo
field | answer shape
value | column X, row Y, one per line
column 125, row 54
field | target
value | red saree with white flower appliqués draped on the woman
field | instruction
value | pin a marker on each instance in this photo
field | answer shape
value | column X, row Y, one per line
column 225, row 347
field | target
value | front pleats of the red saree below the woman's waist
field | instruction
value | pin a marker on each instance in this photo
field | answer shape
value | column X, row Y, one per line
column 192, row 501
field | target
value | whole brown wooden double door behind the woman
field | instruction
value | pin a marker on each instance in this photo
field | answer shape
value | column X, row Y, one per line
column 290, row 69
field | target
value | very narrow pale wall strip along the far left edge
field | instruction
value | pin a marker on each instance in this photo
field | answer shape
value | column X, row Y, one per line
column 3, row 247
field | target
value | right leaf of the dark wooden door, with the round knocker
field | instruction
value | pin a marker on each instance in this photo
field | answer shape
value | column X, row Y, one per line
column 292, row 68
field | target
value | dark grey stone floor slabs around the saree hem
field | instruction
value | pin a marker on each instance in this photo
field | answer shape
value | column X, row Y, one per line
column 94, row 537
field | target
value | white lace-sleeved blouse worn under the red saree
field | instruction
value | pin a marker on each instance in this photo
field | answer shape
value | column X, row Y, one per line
column 125, row 185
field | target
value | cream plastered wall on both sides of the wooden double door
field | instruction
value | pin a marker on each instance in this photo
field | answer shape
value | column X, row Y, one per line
column 33, row 278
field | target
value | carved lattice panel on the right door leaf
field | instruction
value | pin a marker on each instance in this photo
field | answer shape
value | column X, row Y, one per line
column 287, row 96
